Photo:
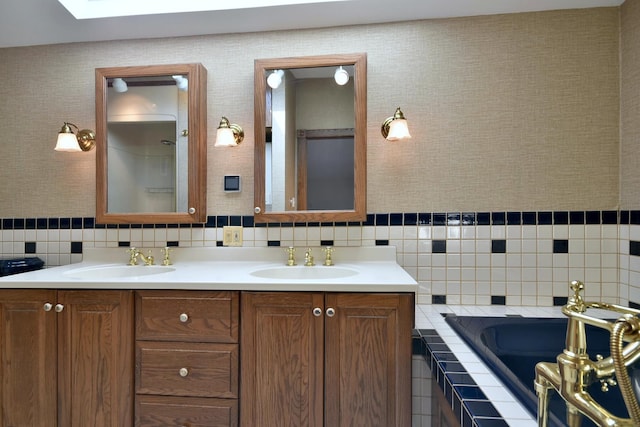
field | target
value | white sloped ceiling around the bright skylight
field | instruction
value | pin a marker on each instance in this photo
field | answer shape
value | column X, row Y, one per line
column 38, row 22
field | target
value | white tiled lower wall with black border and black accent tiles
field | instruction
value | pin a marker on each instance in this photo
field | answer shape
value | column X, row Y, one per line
column 482, row 258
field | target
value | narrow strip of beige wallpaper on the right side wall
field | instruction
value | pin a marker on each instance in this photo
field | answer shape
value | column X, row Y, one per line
column 630, row 105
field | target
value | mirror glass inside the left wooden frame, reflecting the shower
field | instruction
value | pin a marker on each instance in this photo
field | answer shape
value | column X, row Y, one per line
column 147, row 121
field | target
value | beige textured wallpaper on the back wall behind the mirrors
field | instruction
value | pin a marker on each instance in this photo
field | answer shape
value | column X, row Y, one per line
column 507, row 112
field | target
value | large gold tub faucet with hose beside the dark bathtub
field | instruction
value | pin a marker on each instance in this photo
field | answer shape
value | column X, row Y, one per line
column 574, row 371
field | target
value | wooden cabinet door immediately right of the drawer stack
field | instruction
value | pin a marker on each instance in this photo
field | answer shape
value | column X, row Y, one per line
column 282, row 359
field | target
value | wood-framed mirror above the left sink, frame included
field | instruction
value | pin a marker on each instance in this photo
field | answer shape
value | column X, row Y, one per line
column 151, row 149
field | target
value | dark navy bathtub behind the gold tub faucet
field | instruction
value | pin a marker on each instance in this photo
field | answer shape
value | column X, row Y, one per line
column 511, row 347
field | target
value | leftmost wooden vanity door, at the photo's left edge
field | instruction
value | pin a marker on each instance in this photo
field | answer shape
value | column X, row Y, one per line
column 27, row 358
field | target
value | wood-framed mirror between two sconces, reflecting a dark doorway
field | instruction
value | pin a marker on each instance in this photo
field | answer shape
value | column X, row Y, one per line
column 310, row 138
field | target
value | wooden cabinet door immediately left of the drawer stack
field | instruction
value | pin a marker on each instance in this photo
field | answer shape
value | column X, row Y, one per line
column 95, row 358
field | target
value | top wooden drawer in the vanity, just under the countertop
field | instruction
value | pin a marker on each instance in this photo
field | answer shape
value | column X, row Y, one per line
column 207, row 316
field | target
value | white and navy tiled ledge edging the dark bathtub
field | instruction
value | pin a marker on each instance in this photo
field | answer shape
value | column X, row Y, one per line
column 474, row 393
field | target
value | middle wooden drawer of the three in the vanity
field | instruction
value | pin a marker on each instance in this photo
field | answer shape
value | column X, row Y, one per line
column 187, row 369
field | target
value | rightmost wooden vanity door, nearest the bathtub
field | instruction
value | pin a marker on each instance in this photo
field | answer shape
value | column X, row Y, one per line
column 368, row 359
